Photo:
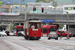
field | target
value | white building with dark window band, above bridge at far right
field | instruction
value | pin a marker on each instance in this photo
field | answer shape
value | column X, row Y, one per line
column 67, row 8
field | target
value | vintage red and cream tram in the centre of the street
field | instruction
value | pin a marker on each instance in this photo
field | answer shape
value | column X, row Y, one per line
column 32, row 33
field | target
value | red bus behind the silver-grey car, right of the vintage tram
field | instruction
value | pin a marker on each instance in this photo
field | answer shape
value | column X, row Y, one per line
column 45, row 29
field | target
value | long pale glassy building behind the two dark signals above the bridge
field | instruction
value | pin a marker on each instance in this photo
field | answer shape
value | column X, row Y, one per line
column 39, row 6
